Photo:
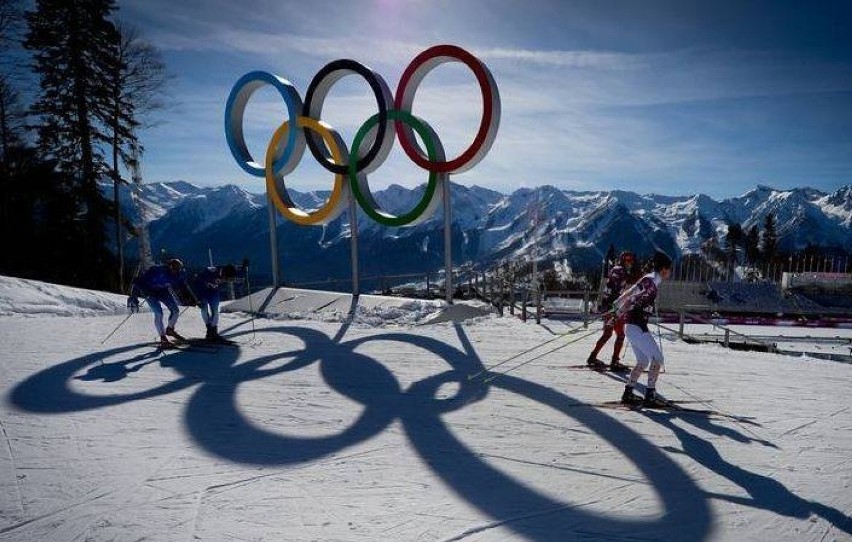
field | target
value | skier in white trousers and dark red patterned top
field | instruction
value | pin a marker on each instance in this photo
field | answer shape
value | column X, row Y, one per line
column 636, row 305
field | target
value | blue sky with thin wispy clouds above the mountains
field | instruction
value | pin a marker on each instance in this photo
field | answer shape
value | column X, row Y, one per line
column 670, row 97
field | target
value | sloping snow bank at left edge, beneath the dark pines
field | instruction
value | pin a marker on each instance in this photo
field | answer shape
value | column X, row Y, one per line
column 32, row 297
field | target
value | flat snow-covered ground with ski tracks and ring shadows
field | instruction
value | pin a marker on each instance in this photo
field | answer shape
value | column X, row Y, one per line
column 315, row 430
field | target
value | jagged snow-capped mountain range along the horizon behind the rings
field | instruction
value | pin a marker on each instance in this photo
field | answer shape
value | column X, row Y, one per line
column 187, row 220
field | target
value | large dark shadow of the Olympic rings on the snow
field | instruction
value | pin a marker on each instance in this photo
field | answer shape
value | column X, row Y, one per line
column 214, row 420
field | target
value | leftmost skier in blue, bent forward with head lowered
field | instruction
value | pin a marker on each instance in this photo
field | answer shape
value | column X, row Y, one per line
column 157, row 285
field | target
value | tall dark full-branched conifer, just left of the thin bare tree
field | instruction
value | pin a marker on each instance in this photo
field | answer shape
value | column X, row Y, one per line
column 73, row 50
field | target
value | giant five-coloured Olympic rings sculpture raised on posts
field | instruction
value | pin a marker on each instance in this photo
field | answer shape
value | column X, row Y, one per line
column 303, row 128
